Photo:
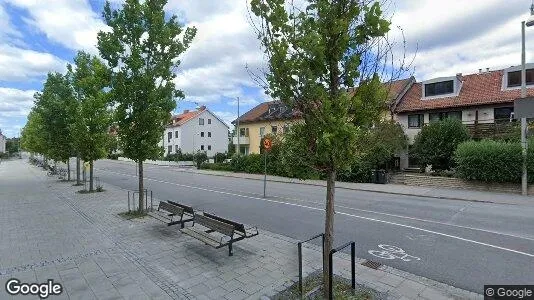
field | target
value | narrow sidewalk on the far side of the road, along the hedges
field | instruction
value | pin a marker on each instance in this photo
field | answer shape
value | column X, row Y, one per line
column 397, row 189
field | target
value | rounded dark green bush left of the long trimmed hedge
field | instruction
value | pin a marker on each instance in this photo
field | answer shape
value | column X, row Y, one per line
column 435, row 143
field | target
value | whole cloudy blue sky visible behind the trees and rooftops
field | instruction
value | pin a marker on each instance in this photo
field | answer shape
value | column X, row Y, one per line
column 442, row 37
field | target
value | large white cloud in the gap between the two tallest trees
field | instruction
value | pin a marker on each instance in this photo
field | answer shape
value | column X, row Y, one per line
column 225, row 44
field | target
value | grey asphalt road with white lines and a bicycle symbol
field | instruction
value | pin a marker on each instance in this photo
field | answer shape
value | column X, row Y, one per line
column 460, row 243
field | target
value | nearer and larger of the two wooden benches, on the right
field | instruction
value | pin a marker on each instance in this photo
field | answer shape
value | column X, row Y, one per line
column 230, row 231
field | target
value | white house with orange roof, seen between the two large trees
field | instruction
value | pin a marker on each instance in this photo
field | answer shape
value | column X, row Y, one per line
column 197, row 130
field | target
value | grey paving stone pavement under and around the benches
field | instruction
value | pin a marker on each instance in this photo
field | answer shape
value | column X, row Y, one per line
column 51, row 232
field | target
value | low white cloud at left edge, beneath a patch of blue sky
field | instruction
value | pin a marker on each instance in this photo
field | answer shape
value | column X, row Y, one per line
column 20, row 64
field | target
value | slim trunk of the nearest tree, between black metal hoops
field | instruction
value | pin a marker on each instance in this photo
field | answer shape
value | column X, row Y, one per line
column 328, row 227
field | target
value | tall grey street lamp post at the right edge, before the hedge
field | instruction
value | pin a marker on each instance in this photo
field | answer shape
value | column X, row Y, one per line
column 524, row 144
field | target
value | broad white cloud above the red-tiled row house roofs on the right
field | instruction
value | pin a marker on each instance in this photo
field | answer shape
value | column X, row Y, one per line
column 456, row 37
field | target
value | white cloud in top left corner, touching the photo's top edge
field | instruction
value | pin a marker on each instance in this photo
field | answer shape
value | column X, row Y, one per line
column 71, row 23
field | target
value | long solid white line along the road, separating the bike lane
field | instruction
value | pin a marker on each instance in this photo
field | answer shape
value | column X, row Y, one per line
column 340, row 213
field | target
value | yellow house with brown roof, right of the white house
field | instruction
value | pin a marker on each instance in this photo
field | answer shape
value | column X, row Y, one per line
column 266, row 118
